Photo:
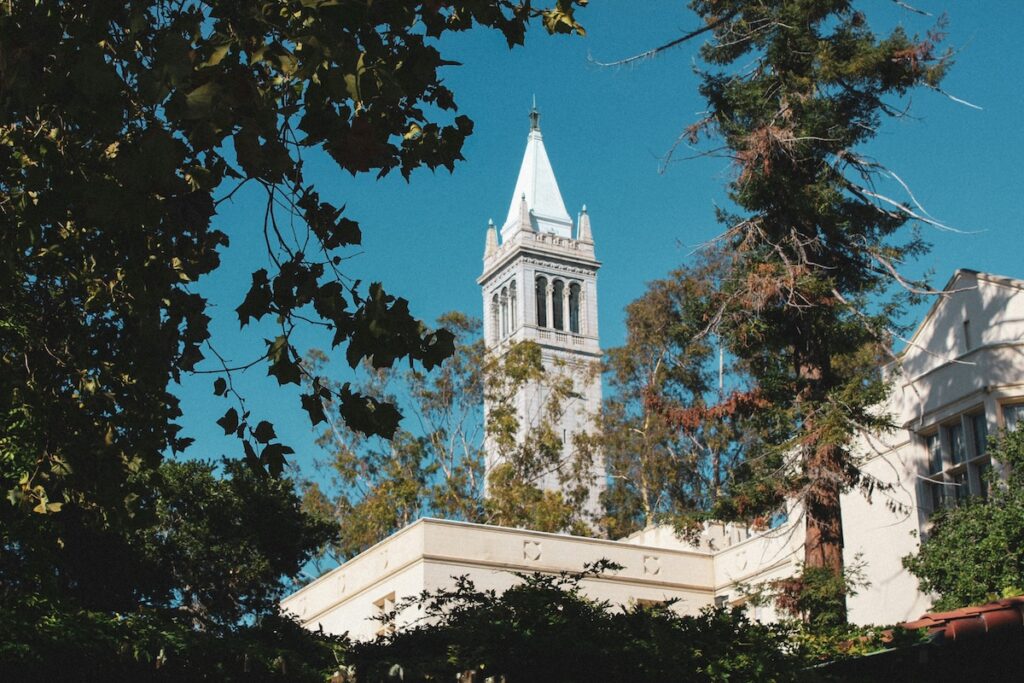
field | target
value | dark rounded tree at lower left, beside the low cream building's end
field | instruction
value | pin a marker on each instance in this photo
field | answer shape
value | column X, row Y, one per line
column 191, row 596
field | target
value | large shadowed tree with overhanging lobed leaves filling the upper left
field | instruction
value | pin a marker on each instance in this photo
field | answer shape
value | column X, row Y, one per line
column 125, row 126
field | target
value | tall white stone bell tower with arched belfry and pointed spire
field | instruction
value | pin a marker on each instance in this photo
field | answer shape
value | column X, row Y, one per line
column 540, row 284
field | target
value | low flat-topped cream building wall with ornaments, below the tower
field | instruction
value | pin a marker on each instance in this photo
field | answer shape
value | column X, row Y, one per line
column 430, row 553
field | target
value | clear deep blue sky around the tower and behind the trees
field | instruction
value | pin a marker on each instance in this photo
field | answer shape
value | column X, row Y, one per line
column 607, row 131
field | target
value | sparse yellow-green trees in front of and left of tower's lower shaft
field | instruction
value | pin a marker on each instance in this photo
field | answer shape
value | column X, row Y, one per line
column 437, row 467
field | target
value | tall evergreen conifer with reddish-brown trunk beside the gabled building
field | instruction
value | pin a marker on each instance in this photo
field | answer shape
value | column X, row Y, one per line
column 796, row 89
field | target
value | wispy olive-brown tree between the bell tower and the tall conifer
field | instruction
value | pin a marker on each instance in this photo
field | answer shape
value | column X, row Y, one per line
column 676, row 422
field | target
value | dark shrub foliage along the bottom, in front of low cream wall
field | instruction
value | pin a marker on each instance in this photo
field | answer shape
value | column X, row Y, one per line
column 545, row 629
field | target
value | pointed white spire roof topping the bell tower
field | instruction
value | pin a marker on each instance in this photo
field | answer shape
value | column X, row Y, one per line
column 538, row 189
